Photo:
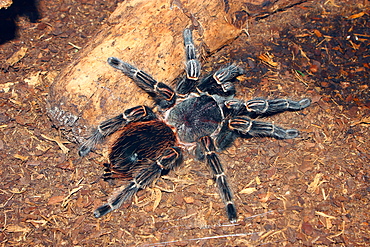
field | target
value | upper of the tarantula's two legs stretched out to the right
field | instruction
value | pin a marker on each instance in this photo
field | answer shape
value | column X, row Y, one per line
column 261, row 106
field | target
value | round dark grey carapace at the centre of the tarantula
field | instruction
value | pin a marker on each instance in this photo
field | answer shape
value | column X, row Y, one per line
column 195, row 117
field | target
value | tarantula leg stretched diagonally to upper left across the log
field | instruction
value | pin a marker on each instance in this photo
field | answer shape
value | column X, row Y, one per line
column 164, row 96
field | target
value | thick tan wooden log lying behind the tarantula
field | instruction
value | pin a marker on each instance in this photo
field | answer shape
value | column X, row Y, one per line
column 147, row 34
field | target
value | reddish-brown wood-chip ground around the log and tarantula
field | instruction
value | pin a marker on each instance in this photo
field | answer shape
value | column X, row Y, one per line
column 309, row 191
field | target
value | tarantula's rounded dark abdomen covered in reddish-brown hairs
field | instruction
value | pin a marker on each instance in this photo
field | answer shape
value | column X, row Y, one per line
column 139, row 144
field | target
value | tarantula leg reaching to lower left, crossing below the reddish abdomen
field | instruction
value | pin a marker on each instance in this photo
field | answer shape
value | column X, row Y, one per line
column 171, row 158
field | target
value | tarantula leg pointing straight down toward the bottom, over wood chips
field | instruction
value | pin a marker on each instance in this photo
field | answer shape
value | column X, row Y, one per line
column 208, row 148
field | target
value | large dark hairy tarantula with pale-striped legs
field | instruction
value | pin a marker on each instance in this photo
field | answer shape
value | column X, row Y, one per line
column 200, row 117
